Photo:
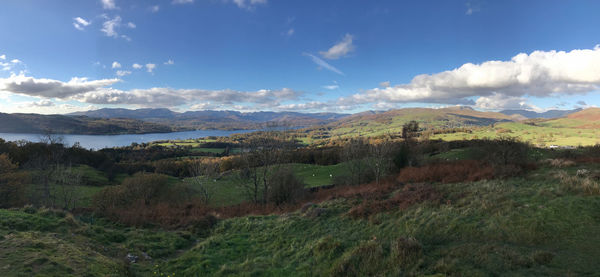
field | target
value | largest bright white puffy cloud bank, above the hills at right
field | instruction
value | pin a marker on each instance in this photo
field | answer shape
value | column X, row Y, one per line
column 539, row 74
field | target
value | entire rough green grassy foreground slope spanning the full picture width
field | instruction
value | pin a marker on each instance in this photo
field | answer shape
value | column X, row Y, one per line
column 523, row 226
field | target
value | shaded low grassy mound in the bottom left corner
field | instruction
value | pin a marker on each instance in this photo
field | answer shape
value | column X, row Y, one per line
column 48, row 243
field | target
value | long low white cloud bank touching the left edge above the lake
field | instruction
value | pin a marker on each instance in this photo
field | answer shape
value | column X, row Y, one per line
column 48, row 88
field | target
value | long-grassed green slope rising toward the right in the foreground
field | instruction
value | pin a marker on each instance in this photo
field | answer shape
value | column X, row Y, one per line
column 525, row 226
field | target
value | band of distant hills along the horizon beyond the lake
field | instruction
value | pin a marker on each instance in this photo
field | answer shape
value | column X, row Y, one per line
column 121, row 121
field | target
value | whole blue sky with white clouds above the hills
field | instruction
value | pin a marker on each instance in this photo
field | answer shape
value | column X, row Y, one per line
column 342, row 56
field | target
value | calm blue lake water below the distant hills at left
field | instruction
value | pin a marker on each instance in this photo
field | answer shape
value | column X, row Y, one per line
column 104, row 141
